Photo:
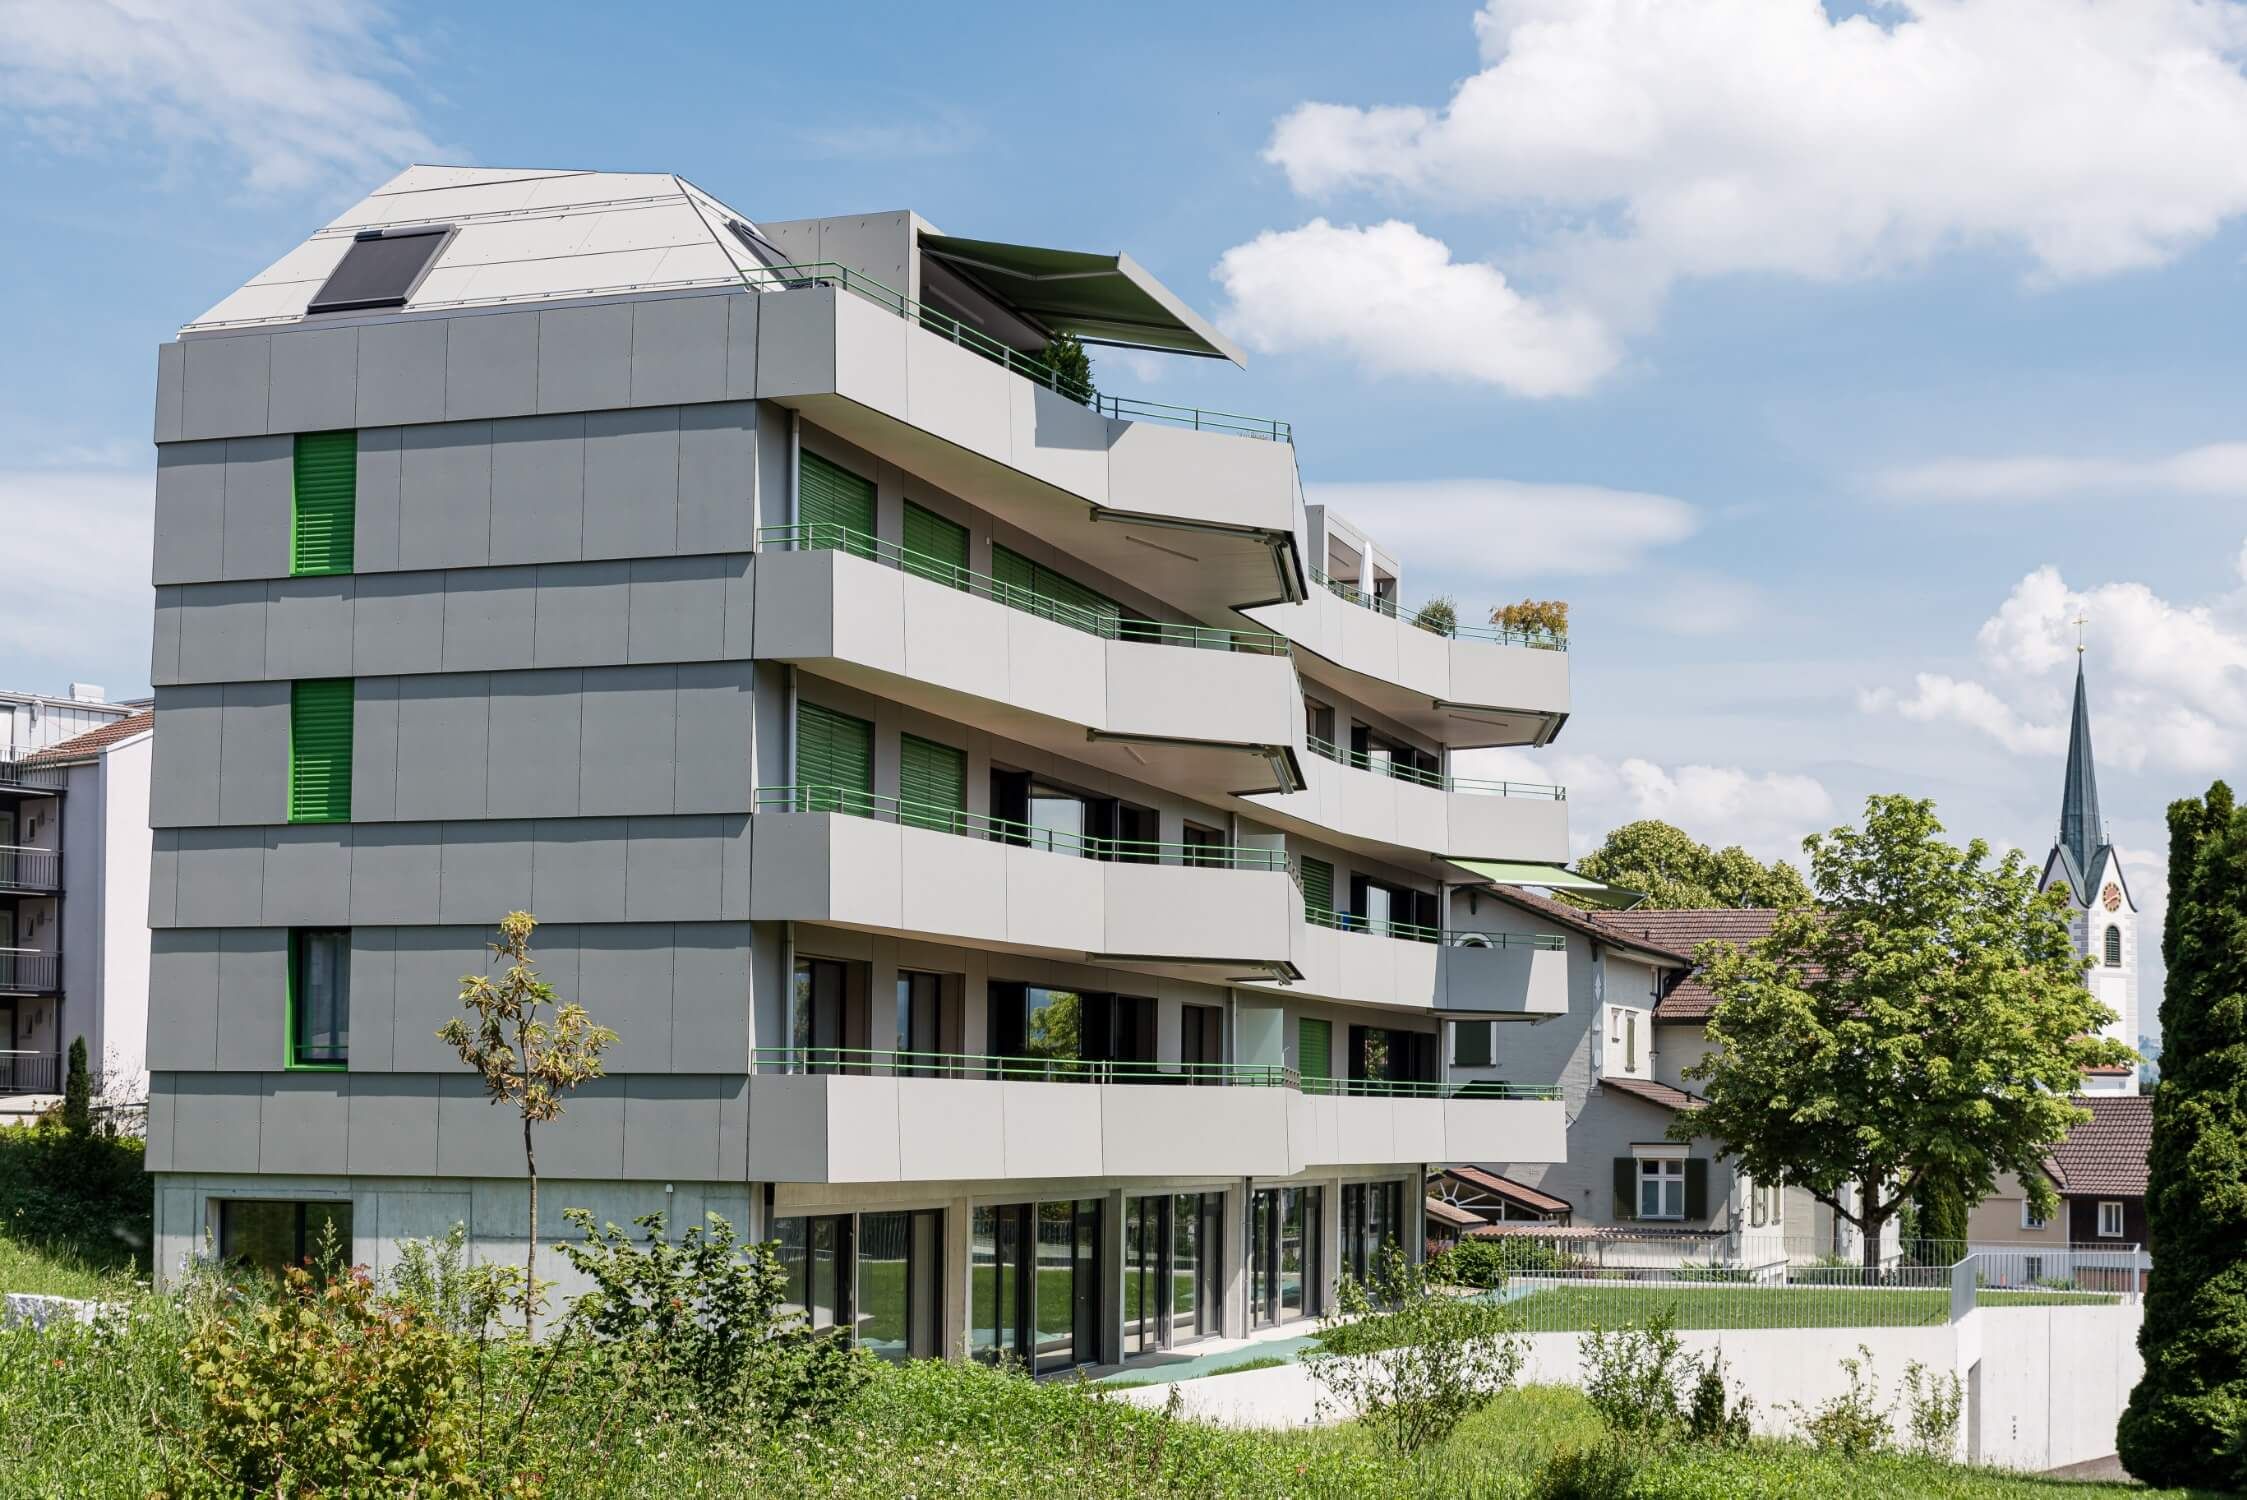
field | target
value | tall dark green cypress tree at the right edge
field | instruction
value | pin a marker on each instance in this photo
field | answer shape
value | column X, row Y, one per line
column 2183, row 1425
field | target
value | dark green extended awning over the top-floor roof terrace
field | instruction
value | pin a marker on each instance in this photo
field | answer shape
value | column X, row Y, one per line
column 1102, row 300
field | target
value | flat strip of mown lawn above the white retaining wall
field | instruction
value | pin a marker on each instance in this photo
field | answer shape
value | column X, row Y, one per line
column 1740, row 1308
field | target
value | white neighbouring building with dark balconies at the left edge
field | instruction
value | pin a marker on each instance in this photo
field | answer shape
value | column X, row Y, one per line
column 73, row 893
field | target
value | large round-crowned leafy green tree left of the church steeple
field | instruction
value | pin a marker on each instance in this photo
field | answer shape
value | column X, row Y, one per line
column 1925, row 1018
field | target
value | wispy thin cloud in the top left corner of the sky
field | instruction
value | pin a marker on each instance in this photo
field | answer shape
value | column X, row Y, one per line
column 298, row 91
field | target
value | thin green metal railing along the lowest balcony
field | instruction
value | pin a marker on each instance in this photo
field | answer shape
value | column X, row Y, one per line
column 882, row 1063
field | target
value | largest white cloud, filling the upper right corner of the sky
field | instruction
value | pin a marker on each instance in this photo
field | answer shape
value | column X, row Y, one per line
column 1646, row 143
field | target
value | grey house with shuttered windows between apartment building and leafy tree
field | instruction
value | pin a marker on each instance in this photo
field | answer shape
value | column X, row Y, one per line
column 1621, row 1057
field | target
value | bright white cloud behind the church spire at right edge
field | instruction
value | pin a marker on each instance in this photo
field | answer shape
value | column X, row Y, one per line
column 2169, row 682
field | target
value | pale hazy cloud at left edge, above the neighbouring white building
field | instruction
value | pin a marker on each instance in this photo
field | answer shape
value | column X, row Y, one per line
column 80, row 545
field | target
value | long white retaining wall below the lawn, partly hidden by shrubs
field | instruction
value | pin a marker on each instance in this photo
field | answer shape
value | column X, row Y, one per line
column 2050, row 1387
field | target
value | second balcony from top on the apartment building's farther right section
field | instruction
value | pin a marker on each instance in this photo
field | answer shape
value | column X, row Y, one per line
column 1381, row 807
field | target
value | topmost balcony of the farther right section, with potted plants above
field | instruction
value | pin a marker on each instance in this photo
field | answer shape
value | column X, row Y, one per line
column 1462, row 686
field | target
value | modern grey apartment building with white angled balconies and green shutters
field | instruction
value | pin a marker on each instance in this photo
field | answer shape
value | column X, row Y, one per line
column 1010, row 832
